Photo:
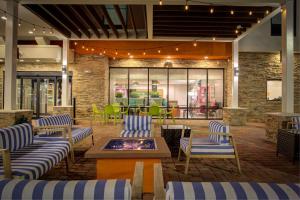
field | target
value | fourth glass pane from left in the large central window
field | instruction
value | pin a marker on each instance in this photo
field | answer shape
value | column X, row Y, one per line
column 178, row 91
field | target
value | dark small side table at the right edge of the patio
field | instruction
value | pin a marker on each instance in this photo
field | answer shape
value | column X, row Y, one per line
column 288, row 143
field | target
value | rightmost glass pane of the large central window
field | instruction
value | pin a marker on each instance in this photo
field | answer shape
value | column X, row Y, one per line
column 215, row 93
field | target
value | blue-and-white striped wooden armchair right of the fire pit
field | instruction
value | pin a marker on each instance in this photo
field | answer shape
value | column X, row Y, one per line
column 218, row 144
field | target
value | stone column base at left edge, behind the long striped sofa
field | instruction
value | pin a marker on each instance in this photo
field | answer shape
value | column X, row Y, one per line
column 10, row 117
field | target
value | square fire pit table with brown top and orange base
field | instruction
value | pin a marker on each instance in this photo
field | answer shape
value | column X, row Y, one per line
column 113, row 164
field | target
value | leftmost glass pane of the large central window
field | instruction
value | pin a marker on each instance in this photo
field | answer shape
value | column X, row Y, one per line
column 119, row 86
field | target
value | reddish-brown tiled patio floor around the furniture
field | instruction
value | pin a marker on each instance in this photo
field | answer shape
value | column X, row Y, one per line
column 257, row 156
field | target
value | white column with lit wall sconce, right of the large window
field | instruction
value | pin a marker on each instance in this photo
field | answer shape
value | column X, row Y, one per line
column 235, row 74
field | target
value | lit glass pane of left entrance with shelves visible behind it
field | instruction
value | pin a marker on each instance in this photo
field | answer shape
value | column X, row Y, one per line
column 46, row 96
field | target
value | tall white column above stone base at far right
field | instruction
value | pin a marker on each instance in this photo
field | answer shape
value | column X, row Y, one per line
column 287, row 38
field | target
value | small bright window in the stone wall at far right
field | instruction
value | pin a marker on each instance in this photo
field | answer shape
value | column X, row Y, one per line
column 274, row 90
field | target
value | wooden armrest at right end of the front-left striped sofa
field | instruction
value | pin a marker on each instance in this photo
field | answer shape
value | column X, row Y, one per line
column 138, row 181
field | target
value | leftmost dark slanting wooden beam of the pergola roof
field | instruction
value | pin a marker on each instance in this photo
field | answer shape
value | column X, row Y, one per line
column 39, row 11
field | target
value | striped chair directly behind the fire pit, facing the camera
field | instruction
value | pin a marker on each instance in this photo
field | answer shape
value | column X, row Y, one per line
column 137, row 126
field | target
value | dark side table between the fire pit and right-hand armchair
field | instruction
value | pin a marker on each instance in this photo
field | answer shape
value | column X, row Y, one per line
column 172, row 135
